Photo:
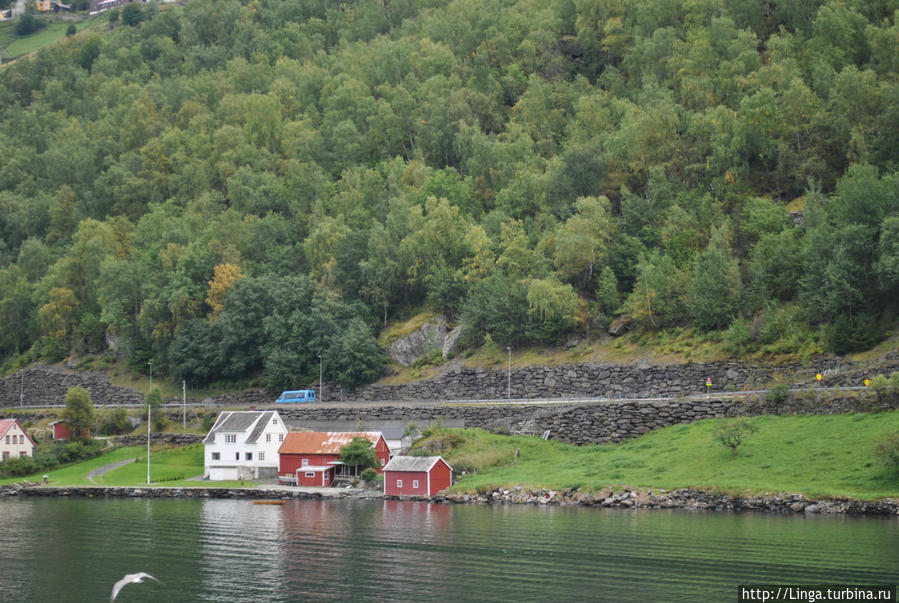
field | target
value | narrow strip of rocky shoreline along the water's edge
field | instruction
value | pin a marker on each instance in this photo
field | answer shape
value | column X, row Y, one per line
column 608, row 498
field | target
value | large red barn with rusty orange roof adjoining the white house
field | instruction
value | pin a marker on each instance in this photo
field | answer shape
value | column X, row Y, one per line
column 303, row 450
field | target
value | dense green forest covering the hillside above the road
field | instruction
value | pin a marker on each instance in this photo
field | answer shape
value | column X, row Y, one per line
column 232, row 188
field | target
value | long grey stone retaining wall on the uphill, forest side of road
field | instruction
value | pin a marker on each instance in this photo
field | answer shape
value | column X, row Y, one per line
column 45, row 385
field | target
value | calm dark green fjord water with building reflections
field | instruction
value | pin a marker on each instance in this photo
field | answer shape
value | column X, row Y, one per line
column 228, row 550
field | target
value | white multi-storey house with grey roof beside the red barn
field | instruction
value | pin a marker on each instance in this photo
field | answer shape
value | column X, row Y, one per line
column 244, row 445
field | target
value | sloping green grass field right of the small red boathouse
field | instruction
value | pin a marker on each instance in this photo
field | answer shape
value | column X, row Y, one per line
column 817, row 456
